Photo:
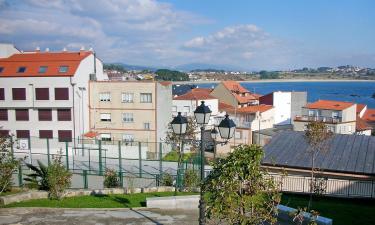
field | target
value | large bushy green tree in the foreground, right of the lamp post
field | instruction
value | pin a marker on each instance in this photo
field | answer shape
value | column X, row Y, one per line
column 239, row 191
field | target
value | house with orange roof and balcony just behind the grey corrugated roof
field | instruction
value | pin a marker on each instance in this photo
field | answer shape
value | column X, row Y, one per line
column 340, row 117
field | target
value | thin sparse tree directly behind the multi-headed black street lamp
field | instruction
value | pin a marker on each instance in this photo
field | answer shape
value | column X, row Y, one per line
column 173, row 138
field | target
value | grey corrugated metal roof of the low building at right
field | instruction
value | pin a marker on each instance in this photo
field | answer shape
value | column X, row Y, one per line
column 353, row 154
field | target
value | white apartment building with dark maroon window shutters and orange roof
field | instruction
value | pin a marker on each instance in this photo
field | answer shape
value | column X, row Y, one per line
column 45, row 94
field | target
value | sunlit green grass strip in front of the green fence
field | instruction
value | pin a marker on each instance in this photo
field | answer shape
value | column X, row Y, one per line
column 98, row 201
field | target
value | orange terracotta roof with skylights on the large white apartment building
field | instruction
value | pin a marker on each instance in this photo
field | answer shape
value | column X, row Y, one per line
column 32, row 62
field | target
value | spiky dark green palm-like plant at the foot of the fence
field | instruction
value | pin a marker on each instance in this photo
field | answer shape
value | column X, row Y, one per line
column 39, row 178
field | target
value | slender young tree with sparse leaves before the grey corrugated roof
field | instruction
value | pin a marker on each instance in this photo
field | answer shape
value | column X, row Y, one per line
column 317, row 136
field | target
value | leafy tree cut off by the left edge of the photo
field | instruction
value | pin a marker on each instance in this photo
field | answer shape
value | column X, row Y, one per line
column 8, row 164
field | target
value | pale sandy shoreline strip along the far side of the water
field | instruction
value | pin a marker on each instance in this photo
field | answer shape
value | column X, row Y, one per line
column 274, row 81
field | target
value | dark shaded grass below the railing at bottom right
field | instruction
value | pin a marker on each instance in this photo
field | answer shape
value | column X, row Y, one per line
column 342, row 211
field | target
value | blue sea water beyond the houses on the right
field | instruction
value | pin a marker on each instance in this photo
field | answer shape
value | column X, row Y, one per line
column 358, row 92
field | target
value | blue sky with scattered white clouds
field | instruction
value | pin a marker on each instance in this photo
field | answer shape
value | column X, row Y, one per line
column 243, row 34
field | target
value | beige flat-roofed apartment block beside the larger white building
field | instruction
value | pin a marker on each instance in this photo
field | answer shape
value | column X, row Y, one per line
column 130, row 111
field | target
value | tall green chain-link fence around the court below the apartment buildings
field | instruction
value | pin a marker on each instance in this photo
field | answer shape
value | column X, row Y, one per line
column 139, row 164
